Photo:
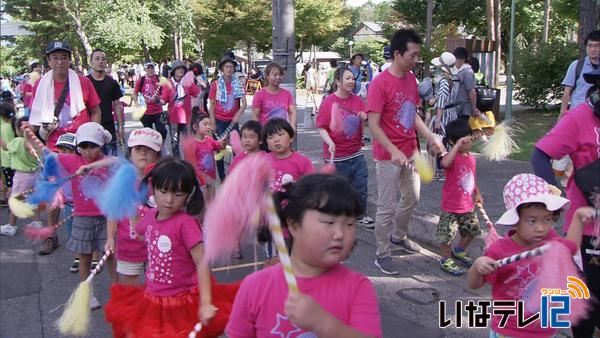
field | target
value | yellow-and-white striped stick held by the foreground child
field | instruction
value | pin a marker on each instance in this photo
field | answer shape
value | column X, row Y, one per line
column 284, row 257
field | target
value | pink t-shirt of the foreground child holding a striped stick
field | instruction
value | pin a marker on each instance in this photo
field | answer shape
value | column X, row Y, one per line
column 258, row 310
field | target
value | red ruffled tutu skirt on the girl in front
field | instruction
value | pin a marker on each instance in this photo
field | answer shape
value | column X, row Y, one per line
column 132, row 312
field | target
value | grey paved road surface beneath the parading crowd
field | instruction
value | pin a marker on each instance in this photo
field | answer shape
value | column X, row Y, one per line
column 32, row 287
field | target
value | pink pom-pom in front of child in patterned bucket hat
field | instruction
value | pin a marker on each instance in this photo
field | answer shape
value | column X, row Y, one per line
column 557, row 265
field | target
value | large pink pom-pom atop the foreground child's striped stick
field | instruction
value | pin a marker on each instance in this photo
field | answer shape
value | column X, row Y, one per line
column 244, row 188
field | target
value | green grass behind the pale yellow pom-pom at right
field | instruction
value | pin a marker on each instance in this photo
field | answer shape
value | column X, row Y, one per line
column 533, row 124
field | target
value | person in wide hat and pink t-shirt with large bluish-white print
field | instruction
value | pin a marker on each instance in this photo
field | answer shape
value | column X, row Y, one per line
column 226, row 102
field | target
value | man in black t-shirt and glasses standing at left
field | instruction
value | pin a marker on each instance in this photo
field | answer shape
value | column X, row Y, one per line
column 109, row 93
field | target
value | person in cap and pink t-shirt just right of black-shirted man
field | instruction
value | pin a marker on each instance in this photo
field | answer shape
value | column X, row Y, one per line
column 150, row 88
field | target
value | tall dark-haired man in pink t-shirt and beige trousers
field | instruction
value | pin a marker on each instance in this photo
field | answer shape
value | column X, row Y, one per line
column 392, row 109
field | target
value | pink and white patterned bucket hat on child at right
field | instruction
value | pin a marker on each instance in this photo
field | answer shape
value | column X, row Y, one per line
column 528, row 188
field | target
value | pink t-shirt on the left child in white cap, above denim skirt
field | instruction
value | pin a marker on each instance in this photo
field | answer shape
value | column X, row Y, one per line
column 85, row 187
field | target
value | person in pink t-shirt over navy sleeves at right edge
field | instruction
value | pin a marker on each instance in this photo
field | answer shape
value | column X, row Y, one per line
column 577, row 134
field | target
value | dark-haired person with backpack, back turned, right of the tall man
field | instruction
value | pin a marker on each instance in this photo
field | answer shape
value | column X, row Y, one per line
column 466, row 99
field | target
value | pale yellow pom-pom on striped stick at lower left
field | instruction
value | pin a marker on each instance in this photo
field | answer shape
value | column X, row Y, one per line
column 75, row 320
